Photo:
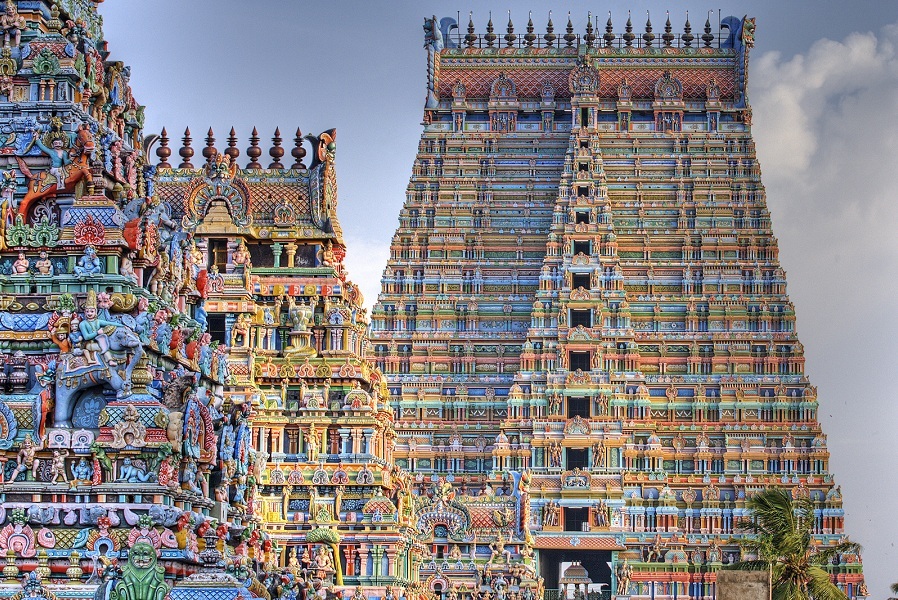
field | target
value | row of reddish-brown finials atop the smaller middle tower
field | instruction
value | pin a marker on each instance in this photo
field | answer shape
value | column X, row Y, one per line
column 276, row 152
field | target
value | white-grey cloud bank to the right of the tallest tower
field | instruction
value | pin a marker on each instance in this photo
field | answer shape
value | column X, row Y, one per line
column 826, row 128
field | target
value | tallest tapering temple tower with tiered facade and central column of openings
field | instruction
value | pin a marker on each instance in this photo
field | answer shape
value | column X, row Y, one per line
column 583, row 323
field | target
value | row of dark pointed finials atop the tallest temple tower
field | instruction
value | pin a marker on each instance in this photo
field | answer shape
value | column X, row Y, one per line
column 570, row 39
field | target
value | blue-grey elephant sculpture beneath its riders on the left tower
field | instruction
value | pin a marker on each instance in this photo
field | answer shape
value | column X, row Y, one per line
column 75, row 374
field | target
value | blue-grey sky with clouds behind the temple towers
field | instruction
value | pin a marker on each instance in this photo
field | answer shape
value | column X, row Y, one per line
column 823, row 83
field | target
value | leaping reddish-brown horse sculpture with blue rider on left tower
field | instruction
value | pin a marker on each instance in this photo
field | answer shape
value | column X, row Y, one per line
column 72, row 169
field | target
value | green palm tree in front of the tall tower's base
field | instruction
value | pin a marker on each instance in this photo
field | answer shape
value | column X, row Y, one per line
column 781, row 540
